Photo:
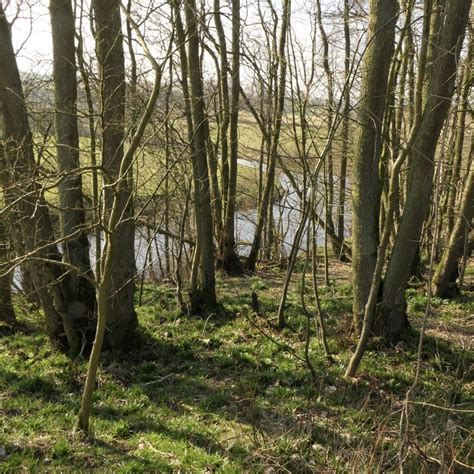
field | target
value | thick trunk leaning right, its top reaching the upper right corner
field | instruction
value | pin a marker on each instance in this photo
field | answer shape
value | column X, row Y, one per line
column 392, row 317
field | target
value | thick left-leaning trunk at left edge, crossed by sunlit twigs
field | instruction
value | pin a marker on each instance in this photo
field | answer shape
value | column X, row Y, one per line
column 21, row 188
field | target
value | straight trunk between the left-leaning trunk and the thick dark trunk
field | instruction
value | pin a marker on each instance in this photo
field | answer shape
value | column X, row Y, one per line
column 73, row 216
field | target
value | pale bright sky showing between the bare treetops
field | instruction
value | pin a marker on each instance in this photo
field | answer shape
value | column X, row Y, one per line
column 31, row 35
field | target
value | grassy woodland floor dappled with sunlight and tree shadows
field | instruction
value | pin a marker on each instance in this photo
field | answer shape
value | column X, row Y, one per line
column 225, row 392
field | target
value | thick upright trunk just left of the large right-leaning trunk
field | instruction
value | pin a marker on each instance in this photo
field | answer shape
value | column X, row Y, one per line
column 366, row 186
